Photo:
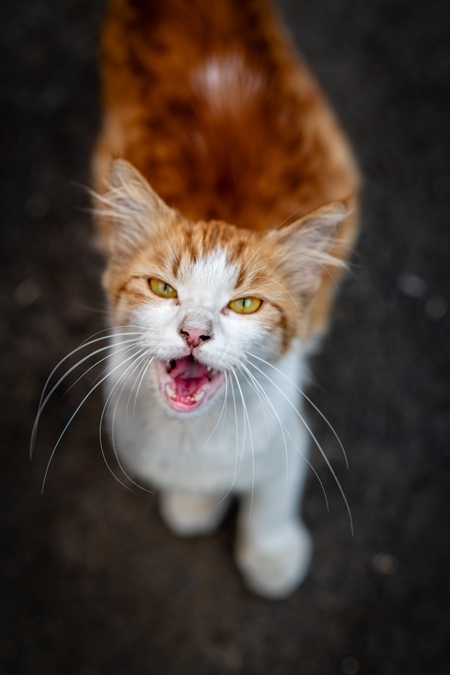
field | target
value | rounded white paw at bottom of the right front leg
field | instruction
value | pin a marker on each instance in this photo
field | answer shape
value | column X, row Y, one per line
column 273, row 566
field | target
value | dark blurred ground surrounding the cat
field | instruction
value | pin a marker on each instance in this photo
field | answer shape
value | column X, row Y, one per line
column 91, row 580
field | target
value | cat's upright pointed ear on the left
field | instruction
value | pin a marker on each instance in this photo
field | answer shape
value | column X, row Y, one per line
column 136, row 210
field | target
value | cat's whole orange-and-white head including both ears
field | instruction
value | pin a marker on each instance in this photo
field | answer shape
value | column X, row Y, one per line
column 206, row 295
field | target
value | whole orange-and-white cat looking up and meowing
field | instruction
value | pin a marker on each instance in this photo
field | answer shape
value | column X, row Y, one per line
column 227, row 206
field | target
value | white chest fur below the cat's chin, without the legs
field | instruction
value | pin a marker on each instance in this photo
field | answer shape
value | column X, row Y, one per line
column 250, row 434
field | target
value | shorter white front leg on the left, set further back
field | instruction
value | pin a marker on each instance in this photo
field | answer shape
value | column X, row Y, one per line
column 189, row 514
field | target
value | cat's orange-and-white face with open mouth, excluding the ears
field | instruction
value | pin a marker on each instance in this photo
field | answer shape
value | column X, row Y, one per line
column 203, row 310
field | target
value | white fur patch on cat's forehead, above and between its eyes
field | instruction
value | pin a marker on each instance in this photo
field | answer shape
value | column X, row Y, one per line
column 209, row 280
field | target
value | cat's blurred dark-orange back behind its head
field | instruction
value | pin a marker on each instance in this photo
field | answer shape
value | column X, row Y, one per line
column 209, row 101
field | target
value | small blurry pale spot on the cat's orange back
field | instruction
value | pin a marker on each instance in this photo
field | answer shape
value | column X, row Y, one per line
column 226, row 82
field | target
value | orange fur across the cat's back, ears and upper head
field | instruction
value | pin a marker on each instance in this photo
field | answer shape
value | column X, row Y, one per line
column 211, row 105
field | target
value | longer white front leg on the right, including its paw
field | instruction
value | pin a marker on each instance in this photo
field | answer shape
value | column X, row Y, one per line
column 274, row 547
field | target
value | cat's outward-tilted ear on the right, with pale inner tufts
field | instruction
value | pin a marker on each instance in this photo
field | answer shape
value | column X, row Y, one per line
column 308, row 243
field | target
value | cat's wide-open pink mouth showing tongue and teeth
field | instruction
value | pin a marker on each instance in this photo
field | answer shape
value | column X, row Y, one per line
column 186, row 384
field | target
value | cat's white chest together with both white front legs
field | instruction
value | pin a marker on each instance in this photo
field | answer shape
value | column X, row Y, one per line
column 250, row 443
